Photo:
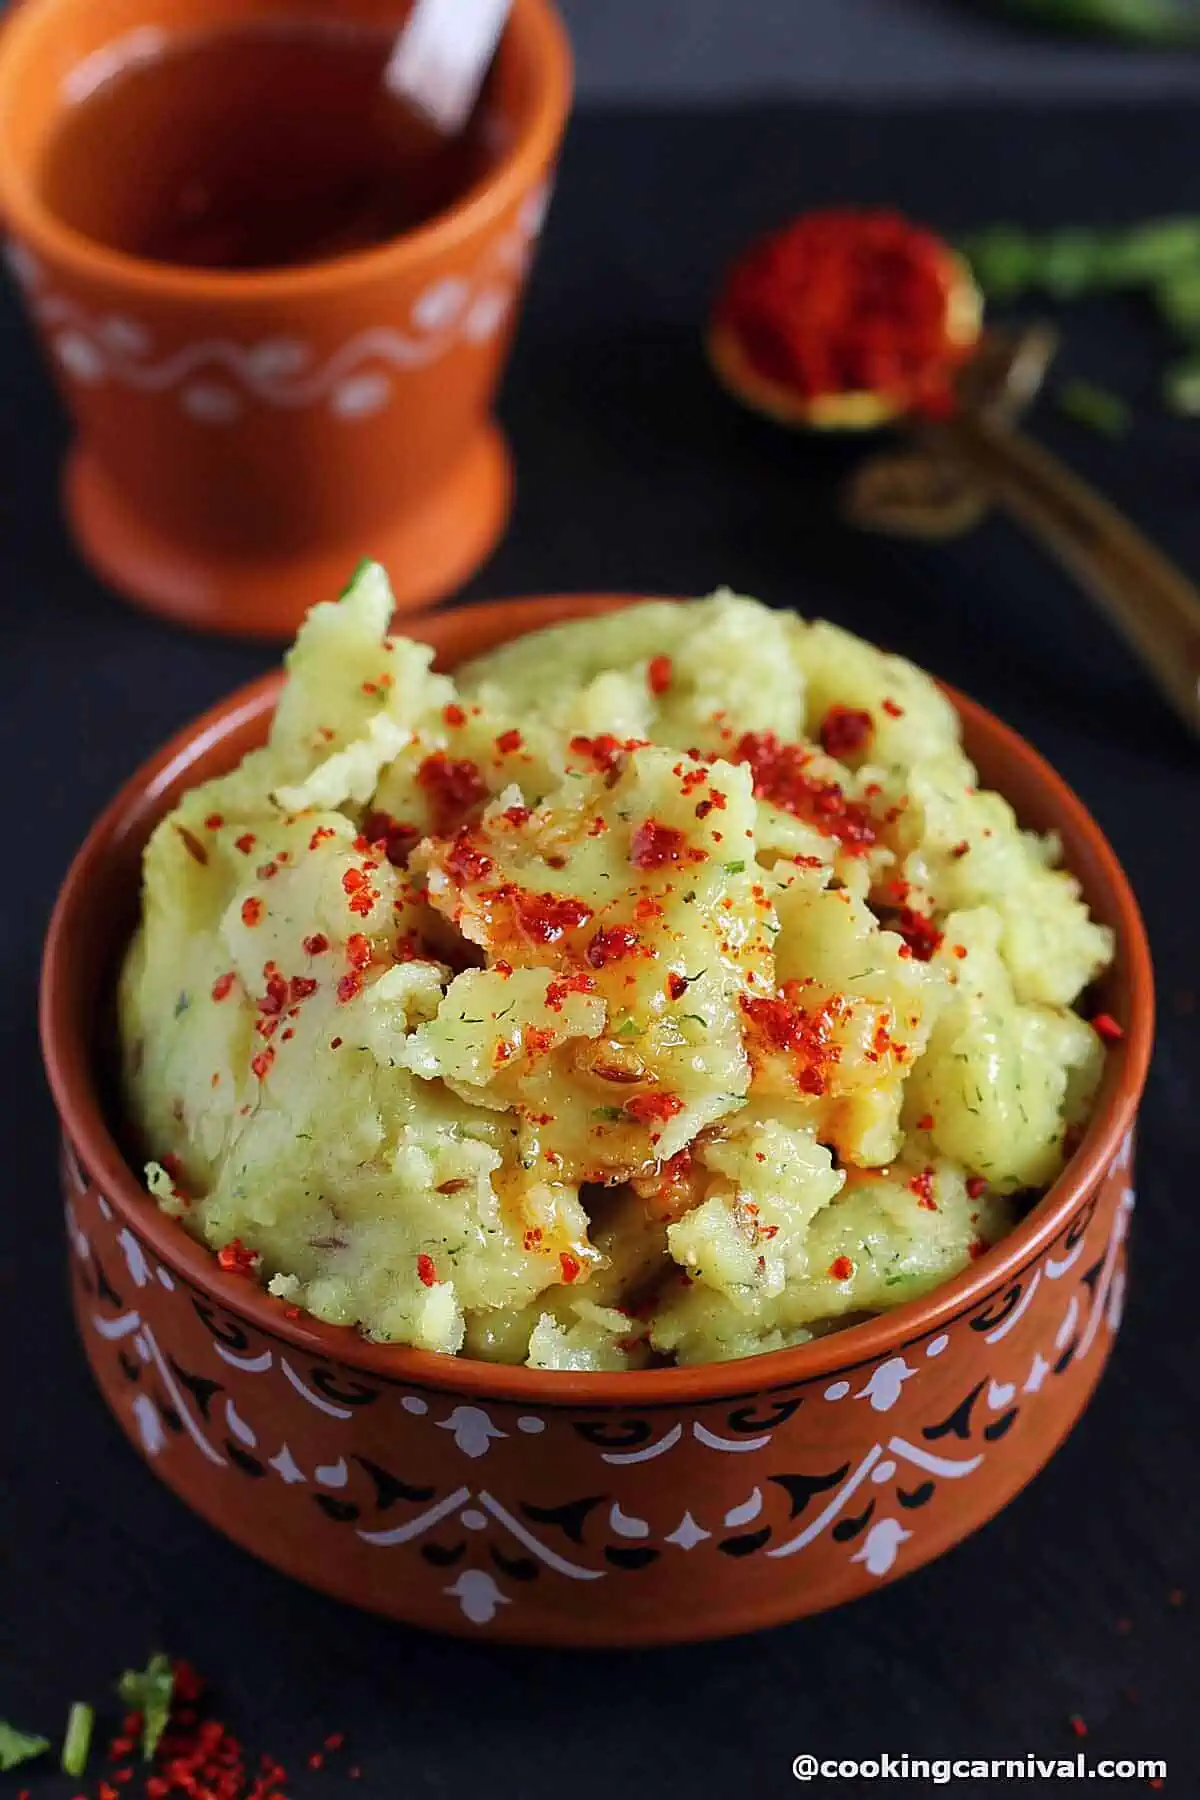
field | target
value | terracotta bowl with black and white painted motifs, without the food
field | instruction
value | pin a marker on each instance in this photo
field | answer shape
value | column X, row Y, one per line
column 582, row 1509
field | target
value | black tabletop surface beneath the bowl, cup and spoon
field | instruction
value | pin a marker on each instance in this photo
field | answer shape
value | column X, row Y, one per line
column 636, row 472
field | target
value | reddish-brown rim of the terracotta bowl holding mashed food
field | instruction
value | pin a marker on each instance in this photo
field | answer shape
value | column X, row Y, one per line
column 69, row 1059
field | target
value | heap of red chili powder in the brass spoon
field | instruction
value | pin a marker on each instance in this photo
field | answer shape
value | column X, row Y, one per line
column 846, row 300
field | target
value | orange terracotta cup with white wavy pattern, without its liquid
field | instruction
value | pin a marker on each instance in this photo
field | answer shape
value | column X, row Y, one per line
column 244, row 440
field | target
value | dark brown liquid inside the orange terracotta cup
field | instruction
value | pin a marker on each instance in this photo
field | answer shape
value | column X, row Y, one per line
column 265, row 147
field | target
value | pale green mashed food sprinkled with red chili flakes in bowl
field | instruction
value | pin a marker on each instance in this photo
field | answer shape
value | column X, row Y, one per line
column 659, row 987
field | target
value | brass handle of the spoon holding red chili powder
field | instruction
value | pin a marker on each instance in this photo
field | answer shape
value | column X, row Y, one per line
column 1149, row 600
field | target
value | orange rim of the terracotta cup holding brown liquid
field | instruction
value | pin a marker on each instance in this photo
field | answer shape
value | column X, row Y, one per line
column 28, row 220
